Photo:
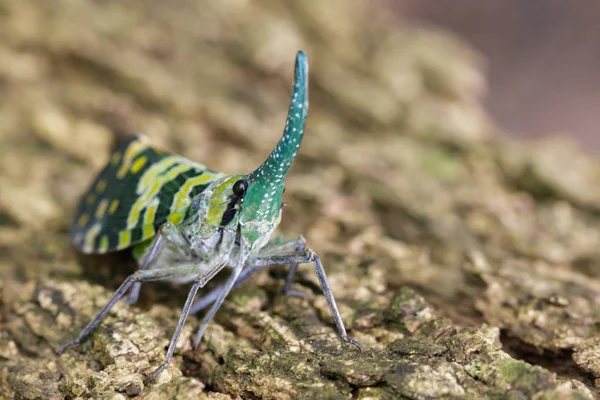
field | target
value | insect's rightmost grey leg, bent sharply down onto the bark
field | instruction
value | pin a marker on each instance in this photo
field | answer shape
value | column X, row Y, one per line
column 309, row 256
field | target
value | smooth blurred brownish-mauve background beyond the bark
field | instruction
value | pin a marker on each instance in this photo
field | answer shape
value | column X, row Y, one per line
column 542, row 60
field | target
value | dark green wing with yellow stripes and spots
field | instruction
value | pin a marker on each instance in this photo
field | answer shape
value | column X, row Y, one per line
column 139, row 190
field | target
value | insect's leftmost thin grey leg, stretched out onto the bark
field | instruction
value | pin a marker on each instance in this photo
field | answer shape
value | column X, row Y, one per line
column 139, row 276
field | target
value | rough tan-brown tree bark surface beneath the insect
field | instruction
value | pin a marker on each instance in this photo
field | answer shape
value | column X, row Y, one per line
column 467, row 265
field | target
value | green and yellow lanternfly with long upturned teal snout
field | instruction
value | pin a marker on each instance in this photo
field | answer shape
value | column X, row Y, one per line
column 187, row 222
